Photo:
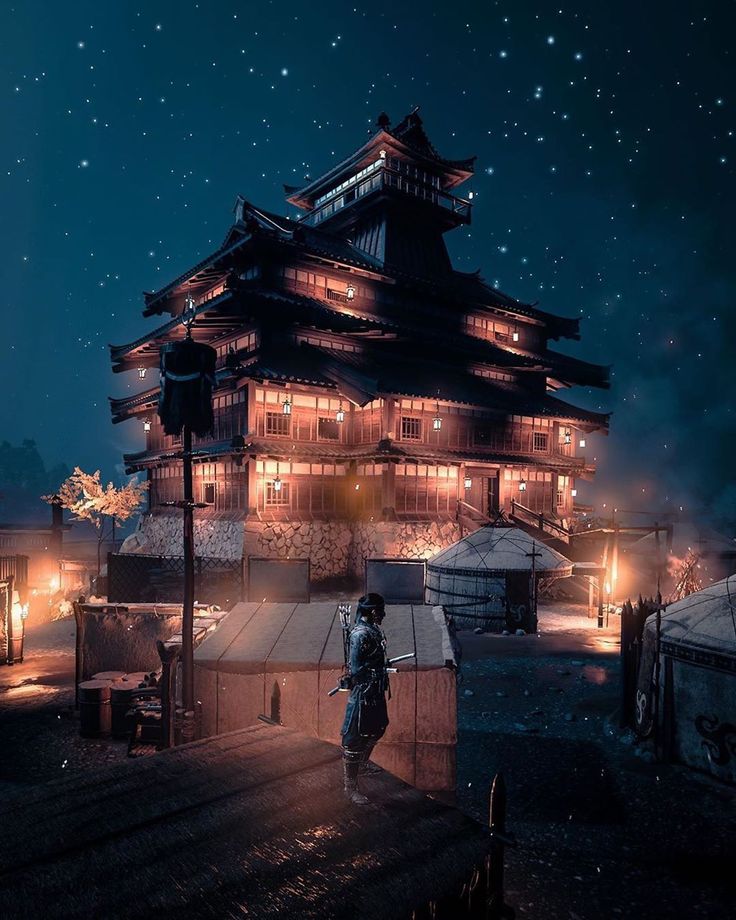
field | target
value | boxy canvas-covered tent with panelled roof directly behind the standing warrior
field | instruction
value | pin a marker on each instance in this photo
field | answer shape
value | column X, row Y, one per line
column 281, row 660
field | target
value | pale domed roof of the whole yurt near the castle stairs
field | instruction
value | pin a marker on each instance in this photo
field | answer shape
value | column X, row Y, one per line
column 497, row 550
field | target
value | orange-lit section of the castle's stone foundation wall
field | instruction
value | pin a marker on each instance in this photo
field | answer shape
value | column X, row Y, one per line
column 338, row 548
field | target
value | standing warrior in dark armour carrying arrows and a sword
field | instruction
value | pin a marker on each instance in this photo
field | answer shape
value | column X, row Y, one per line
column 366, row 717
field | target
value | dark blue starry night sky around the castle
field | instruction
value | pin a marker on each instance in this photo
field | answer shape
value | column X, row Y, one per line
column 604, row 189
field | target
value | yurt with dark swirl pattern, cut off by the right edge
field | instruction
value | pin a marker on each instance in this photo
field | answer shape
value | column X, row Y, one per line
column 694, row 687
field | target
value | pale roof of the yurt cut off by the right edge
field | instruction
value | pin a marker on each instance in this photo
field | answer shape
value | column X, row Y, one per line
column 704, row 621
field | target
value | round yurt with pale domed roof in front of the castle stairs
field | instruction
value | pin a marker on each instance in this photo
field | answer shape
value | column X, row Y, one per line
column 485, row 579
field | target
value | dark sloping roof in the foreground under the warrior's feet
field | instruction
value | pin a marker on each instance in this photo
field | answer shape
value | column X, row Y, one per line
column 248, row 824
